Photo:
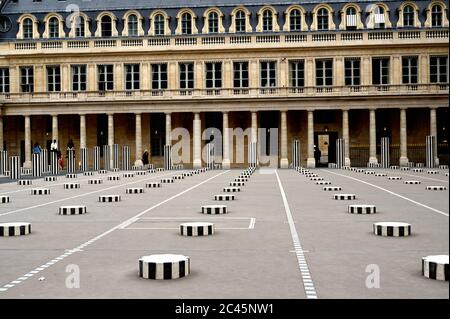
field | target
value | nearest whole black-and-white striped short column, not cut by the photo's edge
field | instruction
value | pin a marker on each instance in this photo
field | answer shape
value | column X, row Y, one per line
column 164, row 267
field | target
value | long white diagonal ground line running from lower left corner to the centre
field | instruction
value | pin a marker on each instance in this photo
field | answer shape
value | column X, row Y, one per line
column 127, row 222
